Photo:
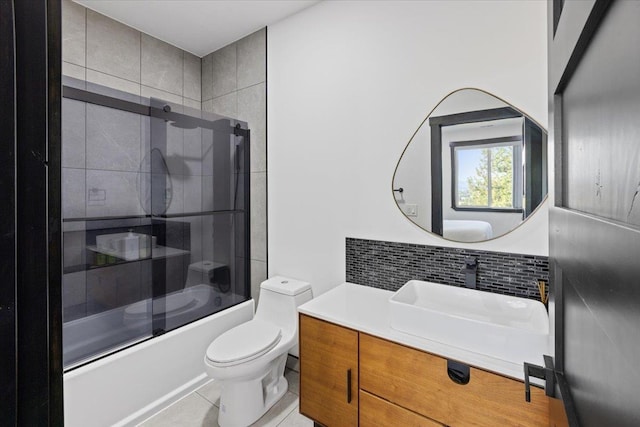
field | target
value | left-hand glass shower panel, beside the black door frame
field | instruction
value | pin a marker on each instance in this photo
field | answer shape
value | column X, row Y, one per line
column 103, row 273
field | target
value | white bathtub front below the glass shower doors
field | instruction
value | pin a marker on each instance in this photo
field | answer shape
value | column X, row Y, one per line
column 127, row 387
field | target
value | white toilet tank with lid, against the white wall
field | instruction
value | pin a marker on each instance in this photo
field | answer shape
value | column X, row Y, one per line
column 279, row 301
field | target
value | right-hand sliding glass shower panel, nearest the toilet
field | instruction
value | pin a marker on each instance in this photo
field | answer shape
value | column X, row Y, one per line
column 199, row 196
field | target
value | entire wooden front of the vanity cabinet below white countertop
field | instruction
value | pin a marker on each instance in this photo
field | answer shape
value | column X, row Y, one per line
column 391, row 384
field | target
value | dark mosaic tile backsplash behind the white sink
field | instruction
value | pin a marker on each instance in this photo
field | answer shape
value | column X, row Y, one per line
column 388, row 265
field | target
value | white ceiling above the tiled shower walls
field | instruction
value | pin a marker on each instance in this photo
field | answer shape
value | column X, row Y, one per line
column 197, row 26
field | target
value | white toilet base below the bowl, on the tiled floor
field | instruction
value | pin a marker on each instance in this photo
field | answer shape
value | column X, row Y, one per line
column 243, row 402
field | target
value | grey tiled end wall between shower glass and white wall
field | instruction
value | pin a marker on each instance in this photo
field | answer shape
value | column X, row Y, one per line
column 234, row 84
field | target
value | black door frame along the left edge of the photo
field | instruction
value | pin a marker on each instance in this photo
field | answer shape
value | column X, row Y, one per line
column 30, row 243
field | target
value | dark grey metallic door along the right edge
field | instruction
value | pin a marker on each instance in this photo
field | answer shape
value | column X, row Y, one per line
column 594, row 82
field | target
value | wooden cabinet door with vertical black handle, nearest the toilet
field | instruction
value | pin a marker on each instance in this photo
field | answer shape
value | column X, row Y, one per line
column 328, row 372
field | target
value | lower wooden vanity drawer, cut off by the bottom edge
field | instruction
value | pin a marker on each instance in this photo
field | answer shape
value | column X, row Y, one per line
column 376, row 412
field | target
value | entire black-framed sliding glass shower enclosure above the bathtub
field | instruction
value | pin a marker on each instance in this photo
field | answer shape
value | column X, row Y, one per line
column 155, row 215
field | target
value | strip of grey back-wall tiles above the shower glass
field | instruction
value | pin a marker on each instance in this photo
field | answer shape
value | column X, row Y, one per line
column 100, row 50
